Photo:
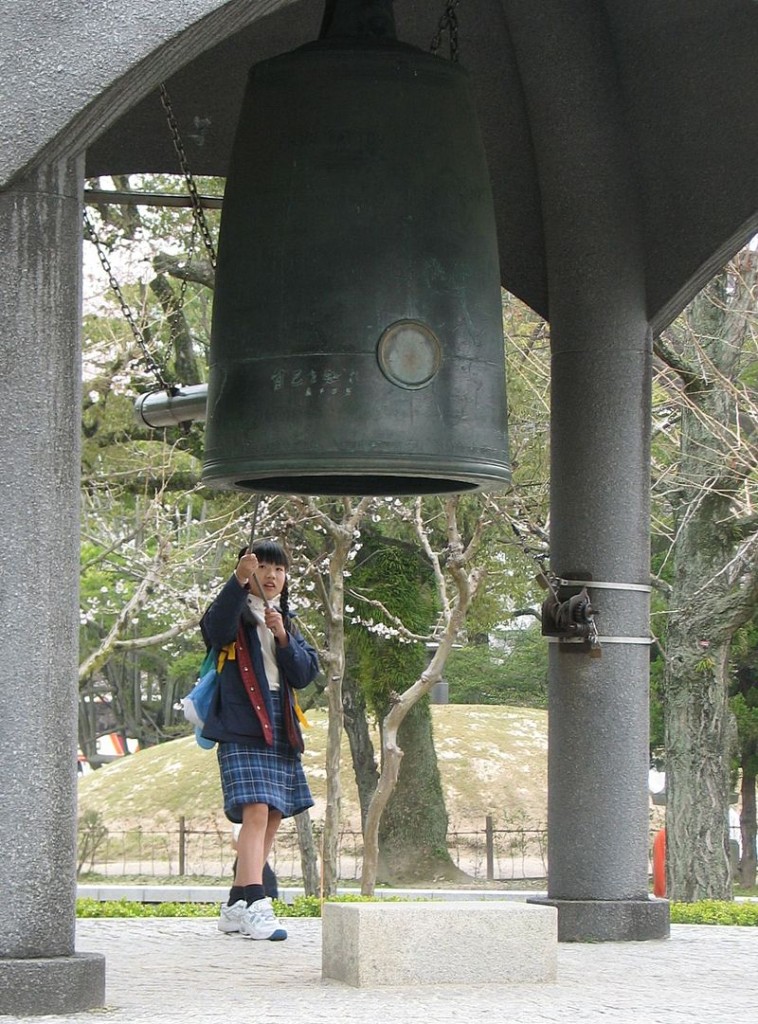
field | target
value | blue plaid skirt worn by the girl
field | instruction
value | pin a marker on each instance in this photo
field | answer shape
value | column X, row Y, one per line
column 263, row 775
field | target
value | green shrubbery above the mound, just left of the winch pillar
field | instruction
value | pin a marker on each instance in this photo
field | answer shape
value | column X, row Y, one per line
column 516, row 674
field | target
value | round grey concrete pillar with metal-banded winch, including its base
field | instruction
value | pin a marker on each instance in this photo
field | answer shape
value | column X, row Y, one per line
column 600, row 501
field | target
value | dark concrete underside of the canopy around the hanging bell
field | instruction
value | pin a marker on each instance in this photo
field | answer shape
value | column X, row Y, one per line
column 687, row 72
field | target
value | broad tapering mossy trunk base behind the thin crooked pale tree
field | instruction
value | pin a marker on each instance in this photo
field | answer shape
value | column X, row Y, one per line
column 413, row 834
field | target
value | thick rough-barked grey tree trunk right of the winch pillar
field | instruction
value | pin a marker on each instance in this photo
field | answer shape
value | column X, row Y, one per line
column 710, row 601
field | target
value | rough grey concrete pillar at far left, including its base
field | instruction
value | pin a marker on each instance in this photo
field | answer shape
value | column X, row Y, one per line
column 40, row 316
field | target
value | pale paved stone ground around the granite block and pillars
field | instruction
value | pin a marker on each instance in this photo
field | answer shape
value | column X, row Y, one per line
column 184, row 971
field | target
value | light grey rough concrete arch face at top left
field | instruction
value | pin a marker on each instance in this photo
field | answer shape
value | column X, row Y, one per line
column 70, row 74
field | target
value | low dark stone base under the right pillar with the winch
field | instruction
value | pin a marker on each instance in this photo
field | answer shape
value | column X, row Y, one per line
column 610, row 921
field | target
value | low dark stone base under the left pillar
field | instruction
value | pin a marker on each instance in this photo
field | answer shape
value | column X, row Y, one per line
column 55, row 986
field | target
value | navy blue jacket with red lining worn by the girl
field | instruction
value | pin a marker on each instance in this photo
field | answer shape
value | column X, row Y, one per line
column 234, row 717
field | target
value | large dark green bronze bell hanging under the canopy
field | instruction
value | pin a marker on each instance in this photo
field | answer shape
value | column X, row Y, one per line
column 357, row 345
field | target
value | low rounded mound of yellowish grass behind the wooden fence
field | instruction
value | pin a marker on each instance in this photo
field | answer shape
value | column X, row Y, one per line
column 493, row 760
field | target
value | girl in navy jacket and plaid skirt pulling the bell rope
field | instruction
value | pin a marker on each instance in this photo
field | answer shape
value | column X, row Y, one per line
column 255, row 722
